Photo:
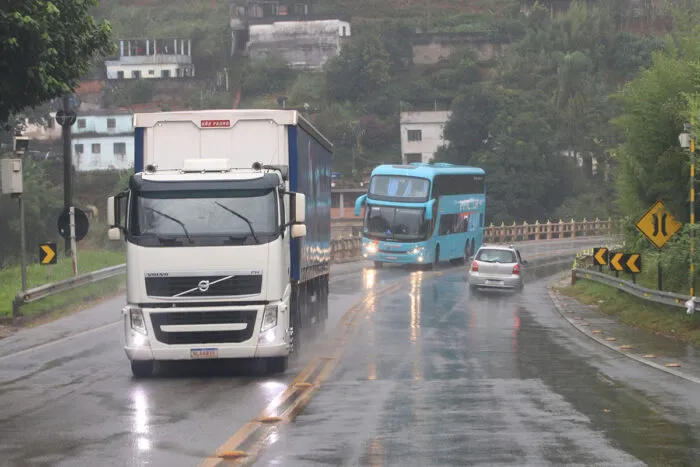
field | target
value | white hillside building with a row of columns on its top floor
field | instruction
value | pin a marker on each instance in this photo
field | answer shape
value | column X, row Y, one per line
column 152, row 58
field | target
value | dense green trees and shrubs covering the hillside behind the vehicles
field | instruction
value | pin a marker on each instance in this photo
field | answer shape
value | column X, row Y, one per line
column 518, row 116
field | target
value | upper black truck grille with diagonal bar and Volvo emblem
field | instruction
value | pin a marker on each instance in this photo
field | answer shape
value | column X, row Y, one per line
column 203, row 286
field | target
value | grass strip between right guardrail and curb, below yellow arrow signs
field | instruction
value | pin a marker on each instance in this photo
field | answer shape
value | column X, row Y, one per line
column 630, row 310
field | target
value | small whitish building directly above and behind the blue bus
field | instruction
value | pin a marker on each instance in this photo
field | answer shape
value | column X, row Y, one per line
column 421, row 134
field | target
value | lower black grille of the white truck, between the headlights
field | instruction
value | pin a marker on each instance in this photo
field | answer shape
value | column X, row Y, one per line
column 159, row 319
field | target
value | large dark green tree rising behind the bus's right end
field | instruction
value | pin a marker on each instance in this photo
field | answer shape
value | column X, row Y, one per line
column 510, row 137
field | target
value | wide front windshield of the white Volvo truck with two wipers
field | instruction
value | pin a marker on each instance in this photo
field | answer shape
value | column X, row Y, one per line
column 201, row 217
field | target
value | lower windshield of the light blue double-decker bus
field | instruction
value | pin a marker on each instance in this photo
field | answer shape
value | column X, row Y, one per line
column 401, row 224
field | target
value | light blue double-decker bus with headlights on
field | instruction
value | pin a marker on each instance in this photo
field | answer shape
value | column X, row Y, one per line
column 422, row 213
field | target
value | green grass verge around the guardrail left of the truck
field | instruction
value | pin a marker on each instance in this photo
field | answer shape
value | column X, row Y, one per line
column 88, row 261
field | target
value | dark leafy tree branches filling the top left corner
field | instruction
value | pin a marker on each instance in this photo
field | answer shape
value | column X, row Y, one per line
column 45, row 47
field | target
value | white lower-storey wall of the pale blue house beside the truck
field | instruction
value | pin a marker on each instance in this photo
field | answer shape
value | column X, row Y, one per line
column 106, row 159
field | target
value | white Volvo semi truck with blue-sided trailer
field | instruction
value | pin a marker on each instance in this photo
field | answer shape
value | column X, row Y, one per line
column 227, row 229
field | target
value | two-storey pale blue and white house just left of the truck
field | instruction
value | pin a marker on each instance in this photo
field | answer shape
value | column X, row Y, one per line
column 103, row 140
